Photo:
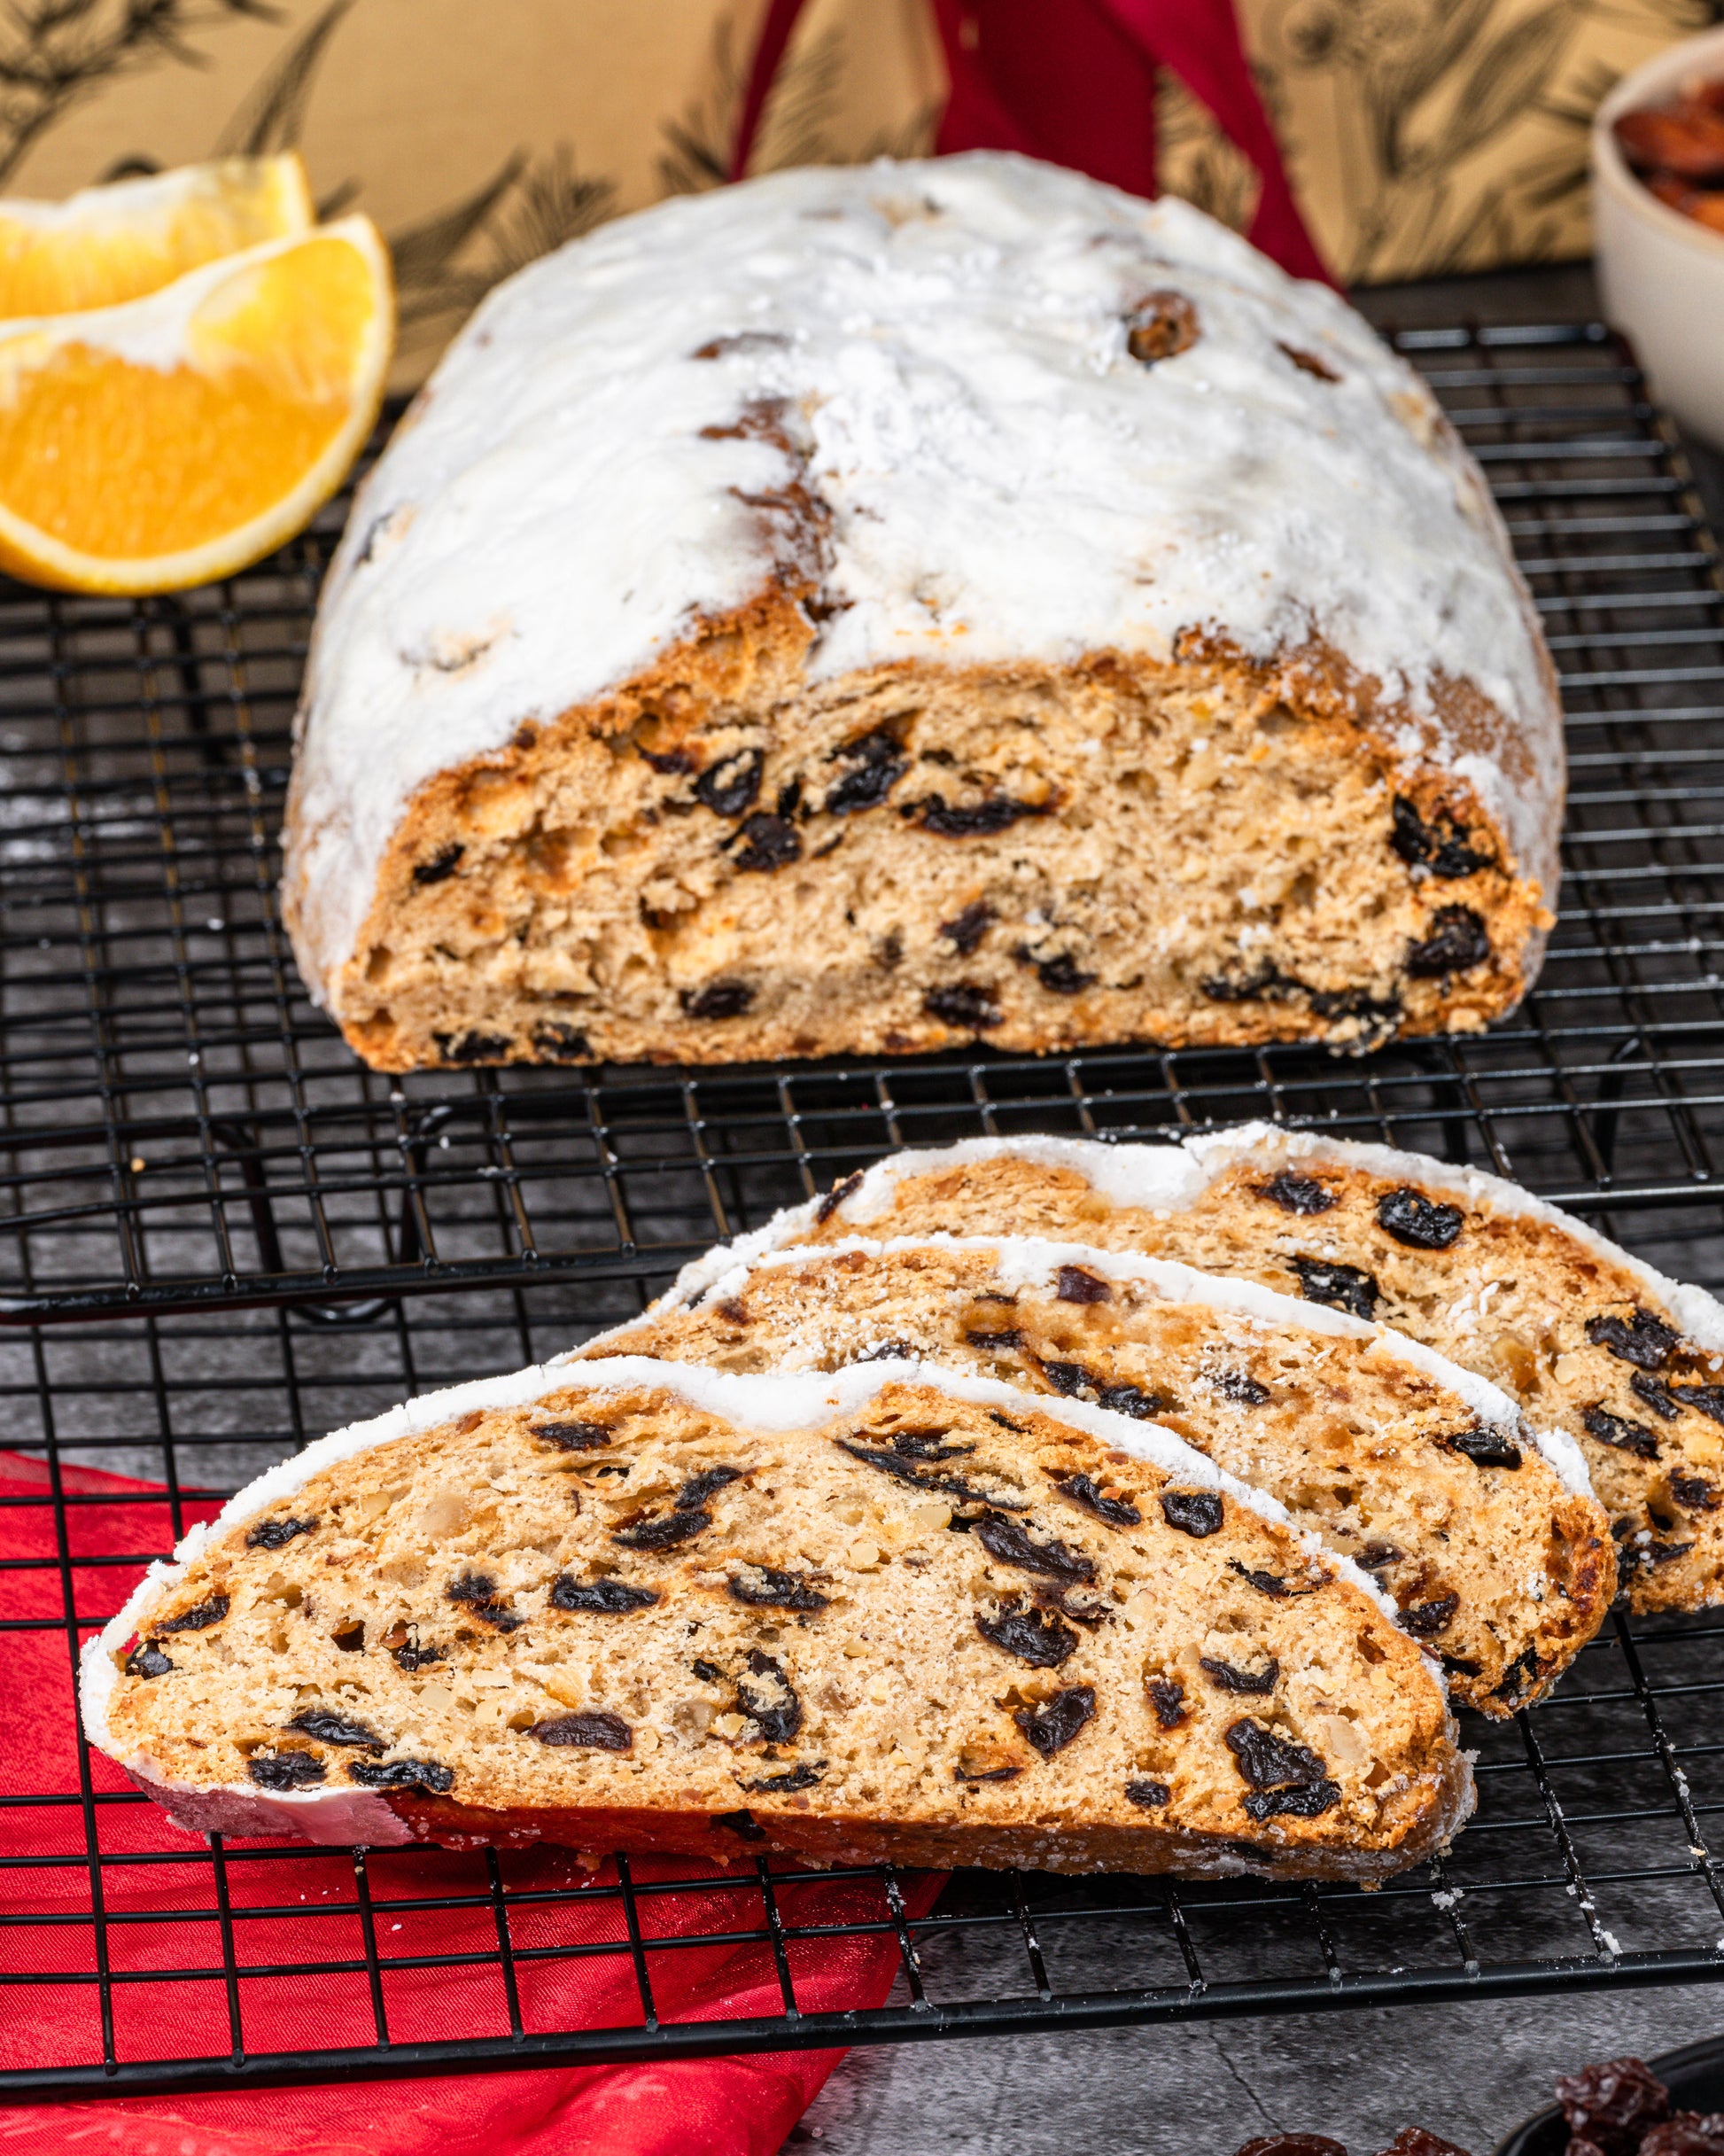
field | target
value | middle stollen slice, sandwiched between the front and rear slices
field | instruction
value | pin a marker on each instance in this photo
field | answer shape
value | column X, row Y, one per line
column 1484, row 1532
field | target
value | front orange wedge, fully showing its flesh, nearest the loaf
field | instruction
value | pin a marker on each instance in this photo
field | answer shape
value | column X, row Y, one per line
column 178, row 439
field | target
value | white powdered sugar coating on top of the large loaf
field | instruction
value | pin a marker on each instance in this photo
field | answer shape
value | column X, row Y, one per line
column 1005, row 482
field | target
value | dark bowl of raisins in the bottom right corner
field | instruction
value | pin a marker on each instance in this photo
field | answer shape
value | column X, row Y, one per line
column 1632, row 2107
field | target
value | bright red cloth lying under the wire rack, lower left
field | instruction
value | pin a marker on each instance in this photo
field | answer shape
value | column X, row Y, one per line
column 165, row 1883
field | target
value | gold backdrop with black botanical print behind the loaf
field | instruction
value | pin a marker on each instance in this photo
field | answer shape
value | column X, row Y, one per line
column 1421, row 135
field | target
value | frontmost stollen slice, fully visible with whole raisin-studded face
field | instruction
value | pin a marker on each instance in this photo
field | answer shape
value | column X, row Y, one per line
column 885, row 1614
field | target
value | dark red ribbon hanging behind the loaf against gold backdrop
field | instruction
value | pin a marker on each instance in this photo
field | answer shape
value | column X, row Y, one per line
column 1074, row 81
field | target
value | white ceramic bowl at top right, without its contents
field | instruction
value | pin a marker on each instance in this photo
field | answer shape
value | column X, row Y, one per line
column 1660, row 273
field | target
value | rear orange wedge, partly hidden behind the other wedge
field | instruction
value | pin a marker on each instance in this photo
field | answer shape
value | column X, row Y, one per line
column 135, row 236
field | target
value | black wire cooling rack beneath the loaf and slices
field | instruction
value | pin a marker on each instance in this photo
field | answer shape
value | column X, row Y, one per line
column 219, row 1236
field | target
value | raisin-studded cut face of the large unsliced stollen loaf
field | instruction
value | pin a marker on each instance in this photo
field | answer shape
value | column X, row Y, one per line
column 727, row 863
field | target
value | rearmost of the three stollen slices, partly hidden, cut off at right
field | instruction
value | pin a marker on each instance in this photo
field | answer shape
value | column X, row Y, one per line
column 1585, row 1336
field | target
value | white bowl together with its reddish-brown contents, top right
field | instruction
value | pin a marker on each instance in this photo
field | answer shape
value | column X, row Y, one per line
column 1658, row 223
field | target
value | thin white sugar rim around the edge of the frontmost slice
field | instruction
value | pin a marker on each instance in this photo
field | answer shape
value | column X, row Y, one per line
column 762, row 1402
